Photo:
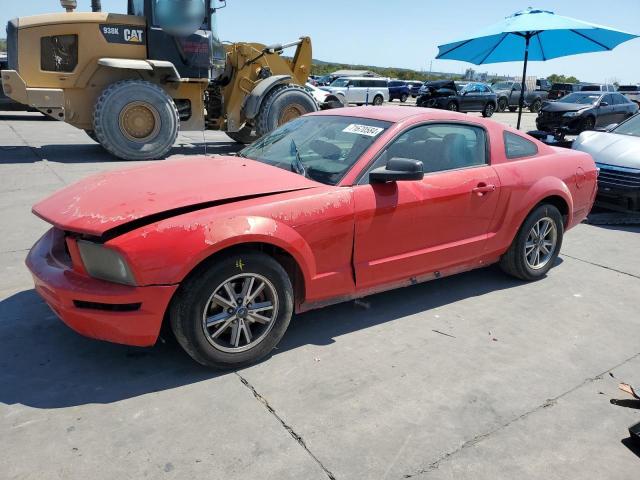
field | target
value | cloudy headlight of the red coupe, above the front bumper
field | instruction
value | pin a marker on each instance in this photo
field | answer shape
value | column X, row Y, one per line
column 104, row 263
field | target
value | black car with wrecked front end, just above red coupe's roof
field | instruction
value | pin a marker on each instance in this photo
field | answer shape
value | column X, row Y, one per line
column 473, row 97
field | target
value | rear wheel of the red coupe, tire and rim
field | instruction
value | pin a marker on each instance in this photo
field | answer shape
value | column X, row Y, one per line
column 536, row 246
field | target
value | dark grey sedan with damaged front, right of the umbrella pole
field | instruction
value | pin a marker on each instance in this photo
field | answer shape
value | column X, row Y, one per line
column 580, row 111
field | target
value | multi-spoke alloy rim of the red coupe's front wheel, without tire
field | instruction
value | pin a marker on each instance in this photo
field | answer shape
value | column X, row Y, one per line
column 240, row 312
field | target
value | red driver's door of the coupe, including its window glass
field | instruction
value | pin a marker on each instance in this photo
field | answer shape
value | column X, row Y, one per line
column 413, row 228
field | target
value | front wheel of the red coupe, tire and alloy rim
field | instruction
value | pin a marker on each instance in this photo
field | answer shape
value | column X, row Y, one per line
column 235, row 312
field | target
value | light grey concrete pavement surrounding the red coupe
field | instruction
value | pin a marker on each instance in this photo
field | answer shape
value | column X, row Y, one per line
column 474, row 376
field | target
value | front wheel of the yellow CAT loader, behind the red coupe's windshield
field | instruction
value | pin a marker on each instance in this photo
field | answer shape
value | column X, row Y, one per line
column 281, row 105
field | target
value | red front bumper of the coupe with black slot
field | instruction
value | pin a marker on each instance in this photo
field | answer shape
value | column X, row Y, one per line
column 108, row 311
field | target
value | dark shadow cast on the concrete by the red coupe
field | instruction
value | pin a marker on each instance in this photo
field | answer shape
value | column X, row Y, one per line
column 43, row 364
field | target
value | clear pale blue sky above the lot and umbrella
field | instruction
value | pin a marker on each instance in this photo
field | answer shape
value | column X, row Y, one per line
column 405, row 33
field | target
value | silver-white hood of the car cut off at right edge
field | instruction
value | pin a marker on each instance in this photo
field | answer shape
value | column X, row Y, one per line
column 610, row 148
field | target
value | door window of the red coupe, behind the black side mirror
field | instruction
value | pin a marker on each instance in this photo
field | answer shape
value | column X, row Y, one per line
column 439, row 146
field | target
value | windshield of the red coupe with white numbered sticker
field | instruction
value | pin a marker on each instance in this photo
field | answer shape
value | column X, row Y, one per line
column 322, row 148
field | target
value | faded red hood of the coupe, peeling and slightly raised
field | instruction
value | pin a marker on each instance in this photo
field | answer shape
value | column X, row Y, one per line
column 103, row 202
